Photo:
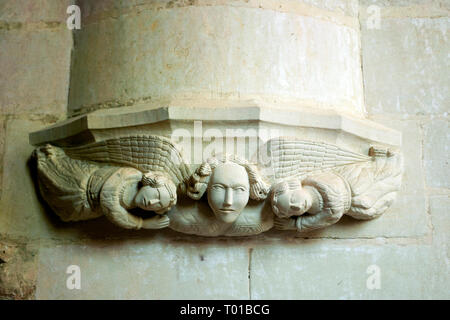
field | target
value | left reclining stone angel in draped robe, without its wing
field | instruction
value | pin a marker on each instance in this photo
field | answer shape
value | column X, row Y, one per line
column 80, row 190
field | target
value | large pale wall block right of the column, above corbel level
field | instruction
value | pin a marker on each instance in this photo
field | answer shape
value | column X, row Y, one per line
column 404, row 62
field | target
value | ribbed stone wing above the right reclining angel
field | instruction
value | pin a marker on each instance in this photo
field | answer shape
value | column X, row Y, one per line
column 286, row 157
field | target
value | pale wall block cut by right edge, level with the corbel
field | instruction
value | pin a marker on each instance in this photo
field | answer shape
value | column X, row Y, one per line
column 437, row 153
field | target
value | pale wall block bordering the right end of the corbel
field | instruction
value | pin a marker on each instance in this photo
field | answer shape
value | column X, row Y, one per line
column 408, row 215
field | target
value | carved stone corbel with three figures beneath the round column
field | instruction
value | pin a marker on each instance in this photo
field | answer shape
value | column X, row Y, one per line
column 136, row 176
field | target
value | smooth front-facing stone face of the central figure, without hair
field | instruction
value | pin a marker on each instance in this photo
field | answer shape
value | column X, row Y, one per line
column 228, row 191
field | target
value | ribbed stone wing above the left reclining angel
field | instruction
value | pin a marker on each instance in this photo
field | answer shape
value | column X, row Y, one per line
column 143, row 152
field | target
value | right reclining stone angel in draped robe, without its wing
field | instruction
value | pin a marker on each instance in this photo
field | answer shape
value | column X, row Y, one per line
column 361, row 190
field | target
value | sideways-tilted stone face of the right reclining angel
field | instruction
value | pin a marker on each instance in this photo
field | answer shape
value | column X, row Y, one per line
column 290, row 199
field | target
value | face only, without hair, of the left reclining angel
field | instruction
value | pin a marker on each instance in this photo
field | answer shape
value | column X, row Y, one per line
column 158, row 199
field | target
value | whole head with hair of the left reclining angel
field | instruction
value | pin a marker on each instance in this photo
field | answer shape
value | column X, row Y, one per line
column 156, row 193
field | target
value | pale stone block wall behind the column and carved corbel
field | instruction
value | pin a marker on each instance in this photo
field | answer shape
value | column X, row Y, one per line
column 404, row 72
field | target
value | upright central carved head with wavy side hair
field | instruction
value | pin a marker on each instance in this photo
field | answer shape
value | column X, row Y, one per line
column 229, row 183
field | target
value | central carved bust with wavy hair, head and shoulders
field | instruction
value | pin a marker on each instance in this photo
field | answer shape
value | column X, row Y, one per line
column 230, row 183
